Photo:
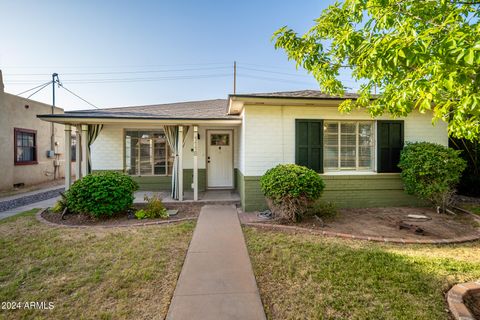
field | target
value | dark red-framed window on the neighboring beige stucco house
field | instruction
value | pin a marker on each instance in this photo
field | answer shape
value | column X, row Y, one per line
column 25, row 146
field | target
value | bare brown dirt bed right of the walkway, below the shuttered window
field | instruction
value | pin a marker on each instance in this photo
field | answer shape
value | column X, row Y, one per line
column 384, row 222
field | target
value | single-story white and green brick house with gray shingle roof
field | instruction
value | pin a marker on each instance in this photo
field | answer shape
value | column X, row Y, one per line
column 230, row 143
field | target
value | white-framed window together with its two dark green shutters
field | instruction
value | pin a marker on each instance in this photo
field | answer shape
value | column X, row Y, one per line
column 335, row 146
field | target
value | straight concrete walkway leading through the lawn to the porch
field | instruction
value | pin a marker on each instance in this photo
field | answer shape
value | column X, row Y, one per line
column 217, row 280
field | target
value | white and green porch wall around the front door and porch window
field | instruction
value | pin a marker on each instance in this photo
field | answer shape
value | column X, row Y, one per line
column 108, row 153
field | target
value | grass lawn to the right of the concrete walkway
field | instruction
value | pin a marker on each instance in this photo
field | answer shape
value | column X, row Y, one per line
column 310, row 277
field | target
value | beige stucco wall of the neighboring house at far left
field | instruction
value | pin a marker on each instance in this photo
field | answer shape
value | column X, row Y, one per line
column 15, row 114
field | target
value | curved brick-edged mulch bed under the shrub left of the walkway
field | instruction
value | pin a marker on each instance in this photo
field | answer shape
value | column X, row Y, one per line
column 185, row 211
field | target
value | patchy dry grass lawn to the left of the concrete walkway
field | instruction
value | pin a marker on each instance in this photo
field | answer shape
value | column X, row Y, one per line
column 117, row 273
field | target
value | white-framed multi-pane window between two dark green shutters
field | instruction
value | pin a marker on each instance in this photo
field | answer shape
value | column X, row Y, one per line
column 348, row 145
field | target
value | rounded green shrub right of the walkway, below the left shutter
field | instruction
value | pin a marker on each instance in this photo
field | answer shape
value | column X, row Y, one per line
column 290, row 189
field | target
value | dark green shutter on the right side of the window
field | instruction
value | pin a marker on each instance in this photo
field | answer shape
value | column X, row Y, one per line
column 389, row 145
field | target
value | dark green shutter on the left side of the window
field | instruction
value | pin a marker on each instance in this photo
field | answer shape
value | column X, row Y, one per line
column 309, row 144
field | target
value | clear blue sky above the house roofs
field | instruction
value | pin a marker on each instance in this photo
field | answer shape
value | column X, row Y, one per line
column 120, row 53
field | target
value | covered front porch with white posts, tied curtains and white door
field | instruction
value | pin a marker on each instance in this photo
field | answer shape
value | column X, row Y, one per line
column 197, row 154
